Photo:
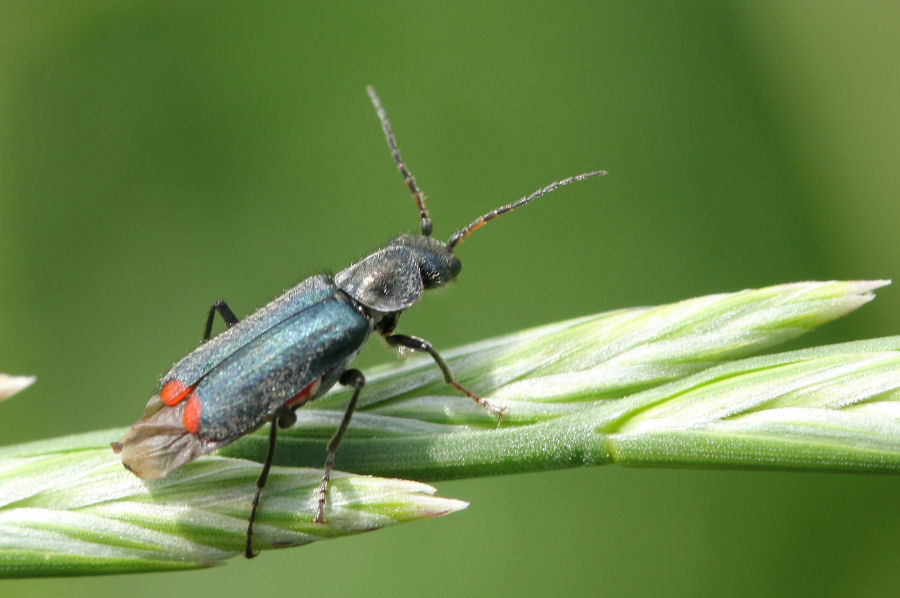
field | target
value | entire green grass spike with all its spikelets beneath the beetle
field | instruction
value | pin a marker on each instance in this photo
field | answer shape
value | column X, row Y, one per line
column 662, row 386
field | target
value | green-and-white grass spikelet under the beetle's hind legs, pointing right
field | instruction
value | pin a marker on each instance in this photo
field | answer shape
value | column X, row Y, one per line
column 76, row 511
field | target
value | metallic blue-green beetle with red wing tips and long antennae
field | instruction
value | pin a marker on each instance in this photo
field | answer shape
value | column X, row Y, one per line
column 295, row 348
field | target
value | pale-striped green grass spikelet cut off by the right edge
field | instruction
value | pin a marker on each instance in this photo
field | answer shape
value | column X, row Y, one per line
column 831, row 408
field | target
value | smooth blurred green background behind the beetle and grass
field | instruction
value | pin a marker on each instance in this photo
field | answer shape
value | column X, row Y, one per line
column 156, row 156
